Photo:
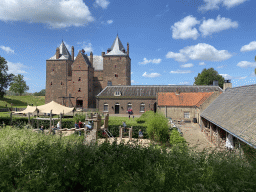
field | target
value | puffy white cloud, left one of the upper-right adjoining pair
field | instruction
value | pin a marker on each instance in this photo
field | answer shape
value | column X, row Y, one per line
column 185, row 29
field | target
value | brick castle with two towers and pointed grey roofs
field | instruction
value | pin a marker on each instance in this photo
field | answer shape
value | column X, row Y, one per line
column 75, row 82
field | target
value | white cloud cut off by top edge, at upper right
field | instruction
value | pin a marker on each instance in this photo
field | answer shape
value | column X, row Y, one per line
column 214, row 4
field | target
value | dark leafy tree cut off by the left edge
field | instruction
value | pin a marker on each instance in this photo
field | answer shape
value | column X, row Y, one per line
column 5, row 79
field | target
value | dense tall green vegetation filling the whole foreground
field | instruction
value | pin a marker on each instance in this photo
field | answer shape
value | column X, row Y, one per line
column 35, row 162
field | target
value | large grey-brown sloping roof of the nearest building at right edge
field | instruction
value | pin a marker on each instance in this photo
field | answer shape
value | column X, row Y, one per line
column 235, row 112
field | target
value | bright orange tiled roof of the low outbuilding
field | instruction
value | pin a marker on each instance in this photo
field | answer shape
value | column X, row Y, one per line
column 182, row 99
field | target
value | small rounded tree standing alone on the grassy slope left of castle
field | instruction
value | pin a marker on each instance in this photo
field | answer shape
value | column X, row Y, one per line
column 18, row 85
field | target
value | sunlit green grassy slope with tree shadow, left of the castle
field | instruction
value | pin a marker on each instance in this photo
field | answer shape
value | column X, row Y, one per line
column 21, row 101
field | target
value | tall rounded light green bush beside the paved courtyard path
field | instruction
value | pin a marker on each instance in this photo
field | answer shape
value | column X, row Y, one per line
column 157, row 128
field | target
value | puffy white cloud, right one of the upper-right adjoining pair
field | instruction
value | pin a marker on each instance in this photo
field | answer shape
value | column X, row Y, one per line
column 211, row 26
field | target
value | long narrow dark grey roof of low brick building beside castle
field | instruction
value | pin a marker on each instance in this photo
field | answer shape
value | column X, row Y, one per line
column 152, row 90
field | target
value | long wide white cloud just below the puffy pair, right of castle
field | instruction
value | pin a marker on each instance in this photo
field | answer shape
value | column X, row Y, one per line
column 201, row 51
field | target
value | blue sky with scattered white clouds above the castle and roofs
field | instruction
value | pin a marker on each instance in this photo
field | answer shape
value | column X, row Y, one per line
column 170, row 41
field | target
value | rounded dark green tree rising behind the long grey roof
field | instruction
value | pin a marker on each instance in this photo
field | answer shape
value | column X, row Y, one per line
column 207, row 76
